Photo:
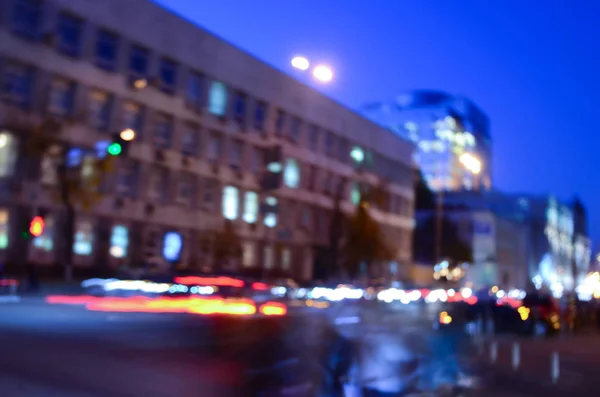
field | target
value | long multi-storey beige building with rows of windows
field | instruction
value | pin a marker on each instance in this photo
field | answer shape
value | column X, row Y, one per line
column 205, row 113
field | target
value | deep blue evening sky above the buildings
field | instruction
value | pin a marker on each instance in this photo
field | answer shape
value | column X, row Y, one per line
column 534, row 70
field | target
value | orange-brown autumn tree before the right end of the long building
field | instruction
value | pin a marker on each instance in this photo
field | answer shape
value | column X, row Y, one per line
column 364, row 240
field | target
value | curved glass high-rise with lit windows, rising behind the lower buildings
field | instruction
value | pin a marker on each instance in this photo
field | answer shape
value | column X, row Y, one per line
column 443, row 127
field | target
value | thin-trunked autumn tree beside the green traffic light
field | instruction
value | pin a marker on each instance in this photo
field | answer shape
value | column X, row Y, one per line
column 75, row 186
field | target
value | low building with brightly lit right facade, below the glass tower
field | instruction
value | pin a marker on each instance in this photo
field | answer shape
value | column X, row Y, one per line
column 552, row 234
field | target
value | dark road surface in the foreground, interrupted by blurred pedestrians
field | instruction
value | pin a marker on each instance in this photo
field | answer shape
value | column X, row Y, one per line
column 64, row 351
